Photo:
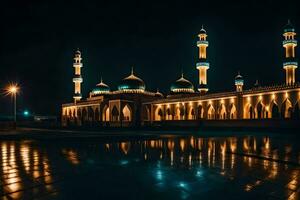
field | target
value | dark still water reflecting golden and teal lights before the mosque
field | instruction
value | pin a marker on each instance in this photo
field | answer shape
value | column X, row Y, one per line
column 165, row 167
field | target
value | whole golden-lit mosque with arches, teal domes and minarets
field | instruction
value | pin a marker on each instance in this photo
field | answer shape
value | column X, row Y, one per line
column 132, row 105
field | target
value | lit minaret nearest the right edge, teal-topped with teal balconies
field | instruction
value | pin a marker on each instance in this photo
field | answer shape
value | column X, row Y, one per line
column 290, row 63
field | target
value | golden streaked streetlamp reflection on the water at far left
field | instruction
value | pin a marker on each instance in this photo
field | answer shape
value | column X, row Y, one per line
column 20, row 164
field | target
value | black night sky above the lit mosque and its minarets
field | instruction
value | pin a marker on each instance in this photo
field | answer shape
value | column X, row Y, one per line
column 158, row 38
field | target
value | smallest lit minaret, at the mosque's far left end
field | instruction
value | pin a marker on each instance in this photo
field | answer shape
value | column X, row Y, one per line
column 77, row 77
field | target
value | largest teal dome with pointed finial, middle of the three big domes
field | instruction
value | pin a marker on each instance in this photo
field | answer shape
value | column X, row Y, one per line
column 132, row 84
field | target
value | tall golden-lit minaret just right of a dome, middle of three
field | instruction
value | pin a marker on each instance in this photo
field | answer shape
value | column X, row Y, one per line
column 202, row 65
